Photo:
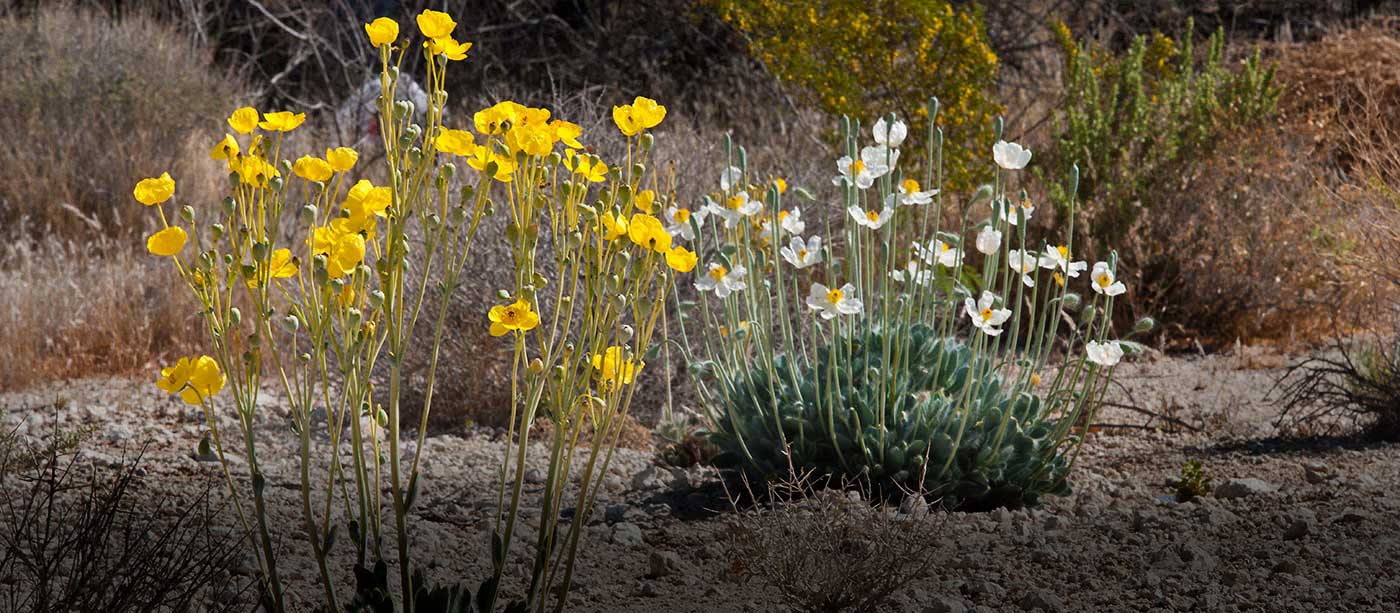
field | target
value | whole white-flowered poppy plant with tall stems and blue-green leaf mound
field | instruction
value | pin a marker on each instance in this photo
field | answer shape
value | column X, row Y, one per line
column 876, row 384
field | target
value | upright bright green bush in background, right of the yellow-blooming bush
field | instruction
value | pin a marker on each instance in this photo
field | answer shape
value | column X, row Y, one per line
column 1137, row 121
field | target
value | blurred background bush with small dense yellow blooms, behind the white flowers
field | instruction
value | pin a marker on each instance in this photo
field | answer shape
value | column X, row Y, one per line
column 869, row 58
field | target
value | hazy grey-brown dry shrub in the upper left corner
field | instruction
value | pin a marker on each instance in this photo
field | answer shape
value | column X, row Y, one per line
column 93, row 103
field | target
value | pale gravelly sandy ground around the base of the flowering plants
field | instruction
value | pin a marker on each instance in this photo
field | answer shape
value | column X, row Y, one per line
column 1293, row 527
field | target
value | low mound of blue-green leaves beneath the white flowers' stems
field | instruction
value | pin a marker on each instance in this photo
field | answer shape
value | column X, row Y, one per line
column 901, row 430
